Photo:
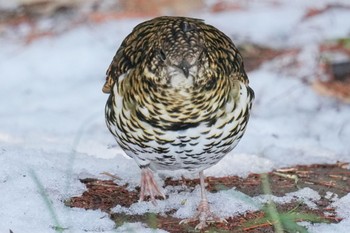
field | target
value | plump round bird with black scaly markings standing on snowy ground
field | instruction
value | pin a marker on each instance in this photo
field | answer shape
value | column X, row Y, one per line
column 179, row 99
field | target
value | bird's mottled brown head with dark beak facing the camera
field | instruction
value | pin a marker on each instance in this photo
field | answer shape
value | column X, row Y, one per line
column 176, row 58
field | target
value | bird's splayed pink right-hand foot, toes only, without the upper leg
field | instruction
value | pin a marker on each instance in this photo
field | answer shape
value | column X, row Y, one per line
column 204, row 215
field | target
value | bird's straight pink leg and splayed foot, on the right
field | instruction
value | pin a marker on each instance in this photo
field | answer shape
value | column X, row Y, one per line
column 203, row 214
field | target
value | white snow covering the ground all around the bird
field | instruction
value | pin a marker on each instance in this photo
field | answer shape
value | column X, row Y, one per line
column 52, row 128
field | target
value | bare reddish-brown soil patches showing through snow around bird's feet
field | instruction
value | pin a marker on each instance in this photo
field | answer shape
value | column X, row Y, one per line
column 335, row 178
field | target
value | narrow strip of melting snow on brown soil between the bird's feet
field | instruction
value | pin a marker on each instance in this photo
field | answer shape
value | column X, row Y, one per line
column 224, row 203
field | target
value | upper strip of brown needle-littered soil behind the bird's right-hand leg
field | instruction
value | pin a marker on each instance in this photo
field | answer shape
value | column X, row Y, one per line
column 320, row 177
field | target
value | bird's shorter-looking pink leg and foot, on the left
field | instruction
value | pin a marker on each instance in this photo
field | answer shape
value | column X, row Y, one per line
column 149, row 185
